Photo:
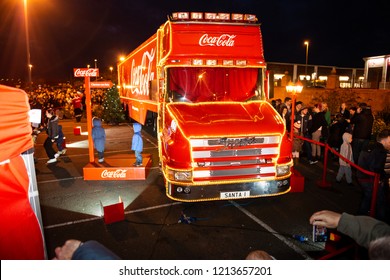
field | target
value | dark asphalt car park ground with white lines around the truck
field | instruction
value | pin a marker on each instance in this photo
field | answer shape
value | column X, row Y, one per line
column 72, row 209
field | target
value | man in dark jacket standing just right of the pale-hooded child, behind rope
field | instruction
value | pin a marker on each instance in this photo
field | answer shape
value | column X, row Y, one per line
column 362, row 122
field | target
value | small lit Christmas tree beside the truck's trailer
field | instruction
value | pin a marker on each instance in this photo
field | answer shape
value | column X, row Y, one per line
column 112, row 107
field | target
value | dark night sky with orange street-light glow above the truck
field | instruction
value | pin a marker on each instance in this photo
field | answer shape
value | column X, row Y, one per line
column 72, row 33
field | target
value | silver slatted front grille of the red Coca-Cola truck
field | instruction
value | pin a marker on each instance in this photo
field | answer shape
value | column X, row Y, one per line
column 252, row 157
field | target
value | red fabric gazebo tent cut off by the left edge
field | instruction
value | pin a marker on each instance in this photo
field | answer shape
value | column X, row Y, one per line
column 20, row 235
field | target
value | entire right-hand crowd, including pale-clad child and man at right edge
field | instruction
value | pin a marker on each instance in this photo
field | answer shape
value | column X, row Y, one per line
column 350, row 133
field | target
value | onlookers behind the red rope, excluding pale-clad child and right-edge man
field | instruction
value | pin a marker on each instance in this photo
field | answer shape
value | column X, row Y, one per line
column 317, row 123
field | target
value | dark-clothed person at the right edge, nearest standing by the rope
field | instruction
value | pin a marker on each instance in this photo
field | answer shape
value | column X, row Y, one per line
column 375, row 161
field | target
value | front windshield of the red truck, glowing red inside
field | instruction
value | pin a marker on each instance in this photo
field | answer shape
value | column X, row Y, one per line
column 198, row 84
